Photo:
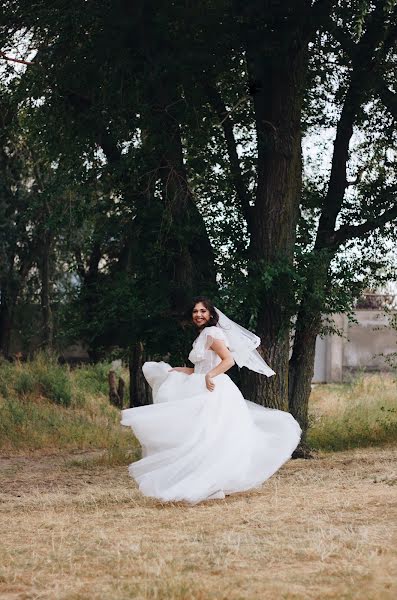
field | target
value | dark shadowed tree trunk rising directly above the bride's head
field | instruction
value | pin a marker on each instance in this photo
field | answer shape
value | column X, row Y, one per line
column 188, row 256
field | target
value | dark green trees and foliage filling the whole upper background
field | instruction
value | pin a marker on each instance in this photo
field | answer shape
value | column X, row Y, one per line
column 139, row 144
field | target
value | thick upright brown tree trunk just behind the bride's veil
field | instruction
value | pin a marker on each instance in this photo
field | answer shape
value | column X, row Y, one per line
column 277, row 86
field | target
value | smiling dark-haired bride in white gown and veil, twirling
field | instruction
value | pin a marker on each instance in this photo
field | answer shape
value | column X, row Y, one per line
column 201, row 440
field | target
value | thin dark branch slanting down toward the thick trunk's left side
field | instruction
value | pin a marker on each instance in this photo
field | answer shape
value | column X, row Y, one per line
column 225, row 119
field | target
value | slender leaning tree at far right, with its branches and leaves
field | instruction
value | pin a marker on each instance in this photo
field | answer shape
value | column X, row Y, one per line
column 367, row 53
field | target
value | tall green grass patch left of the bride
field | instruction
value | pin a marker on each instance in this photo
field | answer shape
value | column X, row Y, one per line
column 47, row 406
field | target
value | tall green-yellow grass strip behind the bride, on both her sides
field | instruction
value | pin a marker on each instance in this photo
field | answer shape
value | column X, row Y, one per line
column 49, row 407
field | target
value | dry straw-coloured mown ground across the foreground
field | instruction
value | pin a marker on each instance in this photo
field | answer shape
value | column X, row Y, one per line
column 74, row 529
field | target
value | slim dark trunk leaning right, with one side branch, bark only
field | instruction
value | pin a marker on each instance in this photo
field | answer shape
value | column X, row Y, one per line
column 308, row 323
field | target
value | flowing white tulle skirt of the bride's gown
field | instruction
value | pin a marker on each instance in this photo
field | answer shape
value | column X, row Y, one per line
column 198, row 445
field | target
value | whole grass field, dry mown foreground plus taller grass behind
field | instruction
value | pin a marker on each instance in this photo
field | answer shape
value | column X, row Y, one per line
column 74, row 527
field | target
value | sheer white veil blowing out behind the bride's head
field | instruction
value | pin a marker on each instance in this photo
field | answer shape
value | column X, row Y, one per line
column 242, row 345
